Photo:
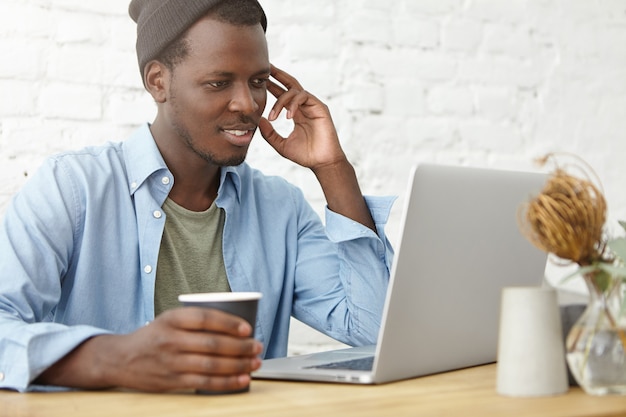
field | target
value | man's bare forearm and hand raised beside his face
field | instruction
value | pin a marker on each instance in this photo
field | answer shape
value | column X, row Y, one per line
column 314, row 144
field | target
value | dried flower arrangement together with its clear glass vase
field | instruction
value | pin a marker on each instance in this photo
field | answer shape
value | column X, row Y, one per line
column 567, row 219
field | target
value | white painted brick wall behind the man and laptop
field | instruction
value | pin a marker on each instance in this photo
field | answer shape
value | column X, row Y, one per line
column 476, row 82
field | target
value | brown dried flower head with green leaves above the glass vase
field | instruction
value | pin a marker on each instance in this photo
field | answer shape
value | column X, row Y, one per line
column 567, row 219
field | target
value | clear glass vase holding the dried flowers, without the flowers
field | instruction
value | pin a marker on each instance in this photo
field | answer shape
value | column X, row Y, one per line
column 595, row 345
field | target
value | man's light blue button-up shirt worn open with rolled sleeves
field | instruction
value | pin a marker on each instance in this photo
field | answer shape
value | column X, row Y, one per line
column 79, row 247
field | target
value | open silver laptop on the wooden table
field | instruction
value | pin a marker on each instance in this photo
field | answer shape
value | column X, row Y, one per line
column 460, row 246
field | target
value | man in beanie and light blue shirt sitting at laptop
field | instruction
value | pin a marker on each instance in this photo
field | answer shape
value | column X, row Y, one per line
column 99, row 243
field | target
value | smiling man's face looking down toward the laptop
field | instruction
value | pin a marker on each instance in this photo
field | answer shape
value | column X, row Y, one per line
column 217, row 93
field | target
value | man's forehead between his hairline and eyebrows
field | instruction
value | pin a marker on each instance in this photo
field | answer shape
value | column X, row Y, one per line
column 215, row 44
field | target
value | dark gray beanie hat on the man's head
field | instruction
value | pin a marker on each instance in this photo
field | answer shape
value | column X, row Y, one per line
column 160, row 22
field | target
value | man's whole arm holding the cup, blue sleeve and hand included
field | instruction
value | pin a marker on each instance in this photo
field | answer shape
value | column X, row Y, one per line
column 42, row 342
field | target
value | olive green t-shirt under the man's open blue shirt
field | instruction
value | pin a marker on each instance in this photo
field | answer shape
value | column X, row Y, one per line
column 190, row 258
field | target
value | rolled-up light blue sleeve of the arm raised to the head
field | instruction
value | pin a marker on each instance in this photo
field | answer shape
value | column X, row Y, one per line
column 342, row 284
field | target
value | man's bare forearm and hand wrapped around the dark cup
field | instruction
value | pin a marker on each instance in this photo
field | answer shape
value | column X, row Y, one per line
column 186, row 348
